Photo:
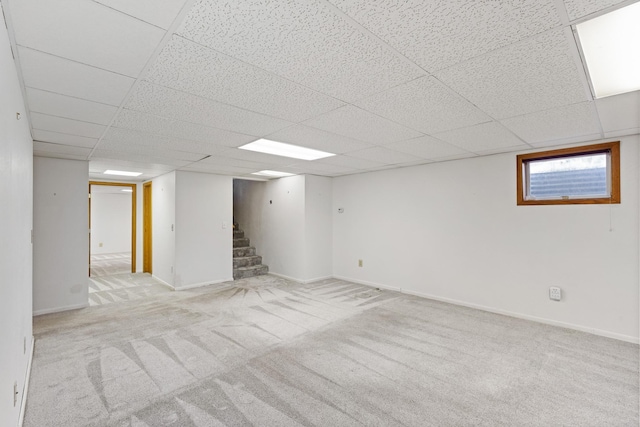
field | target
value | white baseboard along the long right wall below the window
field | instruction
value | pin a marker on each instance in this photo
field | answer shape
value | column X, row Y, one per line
column 546, row 321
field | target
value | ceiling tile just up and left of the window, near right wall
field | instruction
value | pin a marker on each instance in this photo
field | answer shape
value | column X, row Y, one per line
column 482, row 138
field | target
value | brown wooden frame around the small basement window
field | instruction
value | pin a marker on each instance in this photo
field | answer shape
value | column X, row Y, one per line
column 611, row 148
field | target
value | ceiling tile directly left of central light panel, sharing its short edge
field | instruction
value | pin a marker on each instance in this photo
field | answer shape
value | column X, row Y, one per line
column 148, row 123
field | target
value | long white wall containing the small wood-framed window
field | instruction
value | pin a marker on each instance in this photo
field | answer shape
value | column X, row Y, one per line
column 452, row 231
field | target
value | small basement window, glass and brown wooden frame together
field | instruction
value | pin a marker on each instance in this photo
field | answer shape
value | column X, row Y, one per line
column 580, row 175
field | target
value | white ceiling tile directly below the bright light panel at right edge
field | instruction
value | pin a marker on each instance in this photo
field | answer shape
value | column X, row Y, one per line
column 619, row 112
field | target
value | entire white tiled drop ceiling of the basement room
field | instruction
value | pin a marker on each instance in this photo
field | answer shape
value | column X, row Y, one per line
column 156, row 86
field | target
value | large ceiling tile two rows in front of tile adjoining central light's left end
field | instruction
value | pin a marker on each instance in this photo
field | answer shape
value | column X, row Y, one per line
column 192, row 68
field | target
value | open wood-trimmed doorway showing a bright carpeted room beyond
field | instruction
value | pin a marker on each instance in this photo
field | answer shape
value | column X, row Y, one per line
column 112, row 228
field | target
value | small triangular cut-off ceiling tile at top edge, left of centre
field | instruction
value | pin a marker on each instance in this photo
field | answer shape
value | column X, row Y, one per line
column 161, row 13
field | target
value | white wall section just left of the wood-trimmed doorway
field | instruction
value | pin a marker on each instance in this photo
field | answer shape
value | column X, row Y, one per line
column 60, row 234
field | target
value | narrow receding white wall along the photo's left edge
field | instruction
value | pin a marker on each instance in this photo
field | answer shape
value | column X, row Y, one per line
column 16, row 197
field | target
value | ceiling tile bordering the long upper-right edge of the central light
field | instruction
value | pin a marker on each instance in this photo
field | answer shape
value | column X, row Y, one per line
column 317, row 139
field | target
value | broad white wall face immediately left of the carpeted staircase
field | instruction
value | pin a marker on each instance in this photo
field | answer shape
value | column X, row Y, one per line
column 203, row 235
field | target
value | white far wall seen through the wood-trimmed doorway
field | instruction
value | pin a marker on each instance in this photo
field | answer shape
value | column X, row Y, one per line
column 110, row 222
